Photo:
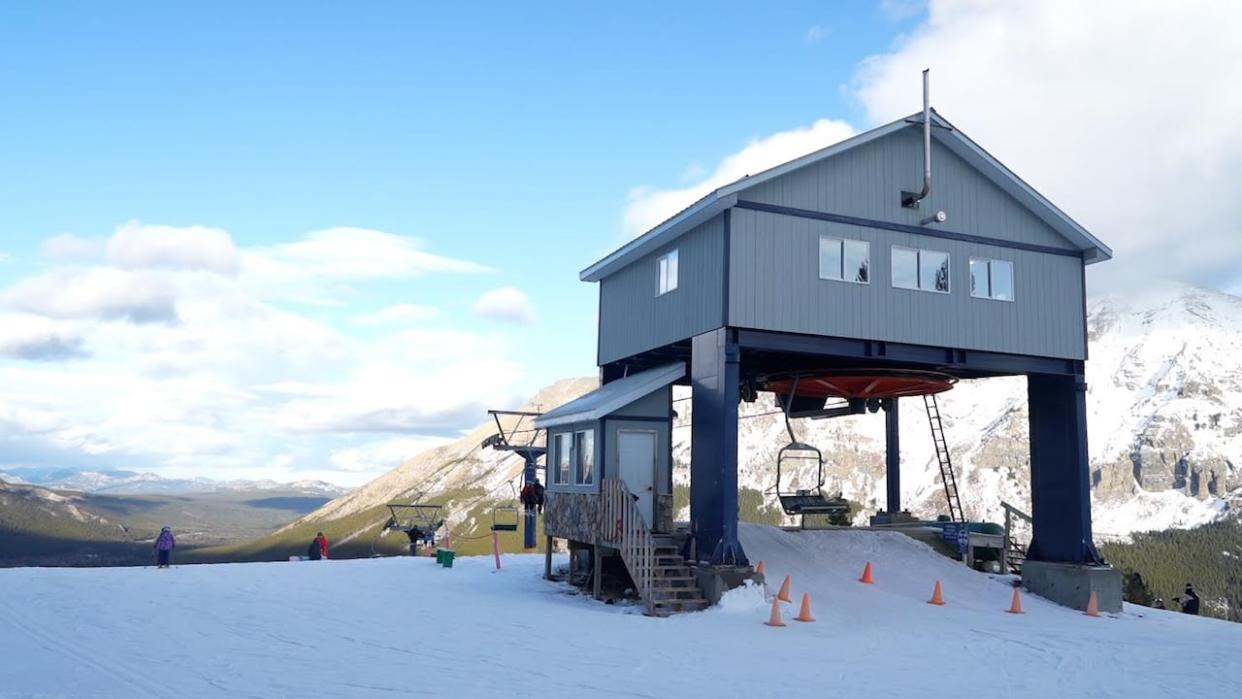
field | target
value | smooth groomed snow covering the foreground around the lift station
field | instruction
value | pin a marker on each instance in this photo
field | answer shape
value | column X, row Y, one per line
column 407, row 628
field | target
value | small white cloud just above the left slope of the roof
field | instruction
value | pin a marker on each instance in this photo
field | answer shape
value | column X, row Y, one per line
column 649, row 207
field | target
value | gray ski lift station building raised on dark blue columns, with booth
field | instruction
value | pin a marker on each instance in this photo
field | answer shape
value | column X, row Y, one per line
column 907, row 251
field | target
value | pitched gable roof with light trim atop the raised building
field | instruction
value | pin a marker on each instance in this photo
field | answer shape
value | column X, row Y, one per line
column 943, row 132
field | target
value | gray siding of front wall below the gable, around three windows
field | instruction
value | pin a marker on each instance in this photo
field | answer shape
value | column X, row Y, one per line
column 776, row 286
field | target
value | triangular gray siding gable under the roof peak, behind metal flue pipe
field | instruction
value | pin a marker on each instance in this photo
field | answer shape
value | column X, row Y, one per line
column 868, row 182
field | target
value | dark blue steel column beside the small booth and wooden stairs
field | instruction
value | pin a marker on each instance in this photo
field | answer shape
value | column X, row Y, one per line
column 715, row 372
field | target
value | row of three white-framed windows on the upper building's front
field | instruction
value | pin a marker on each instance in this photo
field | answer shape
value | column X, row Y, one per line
column 845, row 260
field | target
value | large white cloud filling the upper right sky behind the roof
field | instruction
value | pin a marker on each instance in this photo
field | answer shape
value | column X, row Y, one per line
column 1126, row 115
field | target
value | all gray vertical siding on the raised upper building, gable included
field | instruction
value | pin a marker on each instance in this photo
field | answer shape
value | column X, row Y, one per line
column 774, row 265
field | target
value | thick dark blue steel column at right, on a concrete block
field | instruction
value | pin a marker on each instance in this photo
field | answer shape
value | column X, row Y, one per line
column 1060, row 477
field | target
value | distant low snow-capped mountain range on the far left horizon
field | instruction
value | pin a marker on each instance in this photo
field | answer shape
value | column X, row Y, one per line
column 135, row 484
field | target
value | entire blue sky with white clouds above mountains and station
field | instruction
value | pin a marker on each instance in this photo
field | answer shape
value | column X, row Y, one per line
column 357, row 179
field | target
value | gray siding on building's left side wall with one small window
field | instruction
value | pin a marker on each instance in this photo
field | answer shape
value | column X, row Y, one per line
column 634, row 320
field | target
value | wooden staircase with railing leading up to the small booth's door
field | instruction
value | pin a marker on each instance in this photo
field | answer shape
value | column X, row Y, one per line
column 664, row 580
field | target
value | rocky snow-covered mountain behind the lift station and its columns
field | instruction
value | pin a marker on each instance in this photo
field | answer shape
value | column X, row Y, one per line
column 1166, row 433
